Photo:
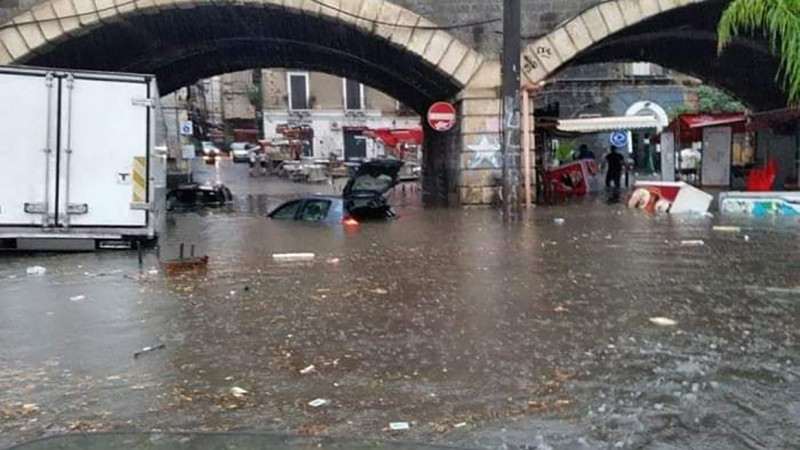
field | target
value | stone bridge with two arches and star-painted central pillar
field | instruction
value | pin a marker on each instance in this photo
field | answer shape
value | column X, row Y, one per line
column 406, row 48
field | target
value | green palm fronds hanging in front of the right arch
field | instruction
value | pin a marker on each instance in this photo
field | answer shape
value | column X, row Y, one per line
column 779, row 20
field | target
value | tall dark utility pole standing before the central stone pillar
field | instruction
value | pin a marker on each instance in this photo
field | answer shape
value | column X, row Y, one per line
column 512, row 49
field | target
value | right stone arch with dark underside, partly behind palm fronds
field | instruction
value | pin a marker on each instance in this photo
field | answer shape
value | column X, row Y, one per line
column 677, row 34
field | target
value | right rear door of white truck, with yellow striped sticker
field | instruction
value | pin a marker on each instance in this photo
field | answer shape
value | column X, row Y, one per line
column 103, row 151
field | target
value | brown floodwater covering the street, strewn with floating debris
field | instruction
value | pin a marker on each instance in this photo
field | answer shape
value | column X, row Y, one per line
column 535, row 335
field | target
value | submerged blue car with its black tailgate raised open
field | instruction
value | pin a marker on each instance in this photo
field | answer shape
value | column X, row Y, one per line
column 363, row 198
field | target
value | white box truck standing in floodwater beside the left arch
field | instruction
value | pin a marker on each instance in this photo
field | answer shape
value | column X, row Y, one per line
column 80, row 167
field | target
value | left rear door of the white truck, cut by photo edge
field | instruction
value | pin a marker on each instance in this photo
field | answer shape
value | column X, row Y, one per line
column 27, row 171
